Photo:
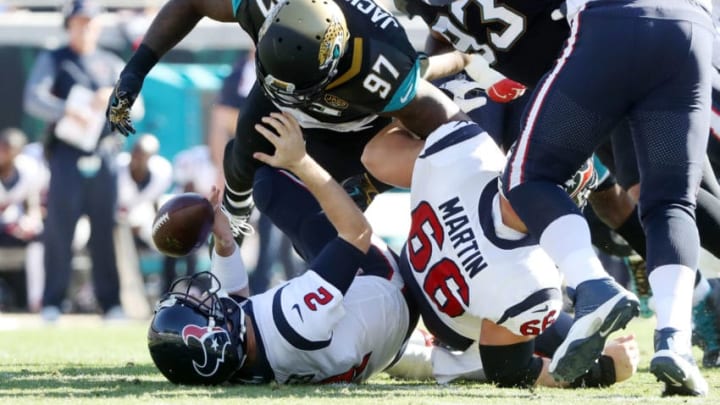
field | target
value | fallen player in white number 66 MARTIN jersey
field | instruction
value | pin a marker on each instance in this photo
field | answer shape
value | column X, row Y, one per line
column 477, row 277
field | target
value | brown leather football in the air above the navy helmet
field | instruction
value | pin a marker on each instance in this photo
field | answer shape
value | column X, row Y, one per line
column 182, row 224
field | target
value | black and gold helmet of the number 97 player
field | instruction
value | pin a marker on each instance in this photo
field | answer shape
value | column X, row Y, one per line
column 299, row 48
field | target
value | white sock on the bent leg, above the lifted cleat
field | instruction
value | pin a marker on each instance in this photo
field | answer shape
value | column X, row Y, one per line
column 567, row 241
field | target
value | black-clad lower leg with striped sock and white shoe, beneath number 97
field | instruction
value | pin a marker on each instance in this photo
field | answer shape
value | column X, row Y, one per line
column 239, row 165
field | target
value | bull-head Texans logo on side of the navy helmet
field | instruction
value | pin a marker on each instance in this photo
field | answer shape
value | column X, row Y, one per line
column 215, row 339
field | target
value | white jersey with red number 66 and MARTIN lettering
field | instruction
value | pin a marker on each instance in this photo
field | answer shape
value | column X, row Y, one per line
column 460, row 262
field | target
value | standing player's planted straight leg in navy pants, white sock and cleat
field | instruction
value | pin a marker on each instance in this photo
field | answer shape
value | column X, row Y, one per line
column 670, row 126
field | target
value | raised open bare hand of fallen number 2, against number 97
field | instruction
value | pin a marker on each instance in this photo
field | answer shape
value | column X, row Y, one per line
column 284, row 132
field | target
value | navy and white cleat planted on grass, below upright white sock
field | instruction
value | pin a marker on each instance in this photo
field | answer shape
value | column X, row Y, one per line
column 674, row 365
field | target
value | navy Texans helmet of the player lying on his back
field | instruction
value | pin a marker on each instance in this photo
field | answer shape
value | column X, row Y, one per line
column 198, row 333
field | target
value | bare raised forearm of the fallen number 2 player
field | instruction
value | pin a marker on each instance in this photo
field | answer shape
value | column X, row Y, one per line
column 340, row 209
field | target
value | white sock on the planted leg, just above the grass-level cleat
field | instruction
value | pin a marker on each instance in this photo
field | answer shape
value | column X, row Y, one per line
column 672, row 286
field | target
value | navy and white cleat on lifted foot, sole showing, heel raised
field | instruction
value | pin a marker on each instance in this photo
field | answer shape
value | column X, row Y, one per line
column 601, row 307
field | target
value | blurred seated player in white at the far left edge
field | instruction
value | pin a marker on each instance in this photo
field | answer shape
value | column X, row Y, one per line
column 22, row 179
